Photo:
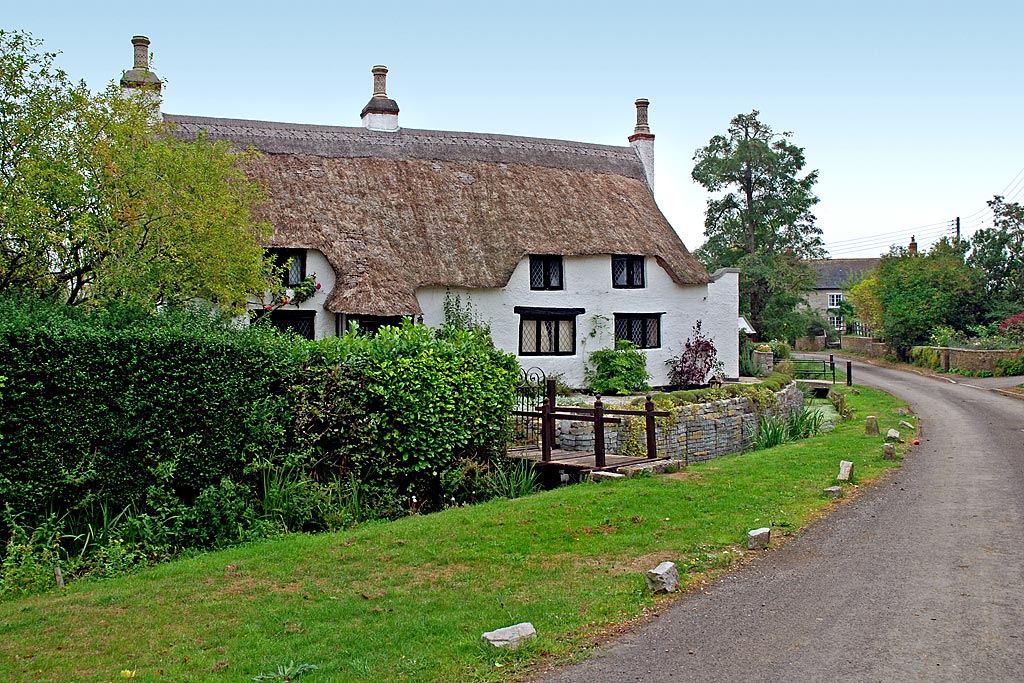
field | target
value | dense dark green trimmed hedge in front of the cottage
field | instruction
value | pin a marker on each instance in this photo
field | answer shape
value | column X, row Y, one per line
column 174, row 414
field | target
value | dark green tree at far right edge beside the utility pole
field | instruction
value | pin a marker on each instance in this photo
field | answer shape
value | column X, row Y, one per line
column 999, row 252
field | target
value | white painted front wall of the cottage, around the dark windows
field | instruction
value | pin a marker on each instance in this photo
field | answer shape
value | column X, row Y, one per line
column 588, row 286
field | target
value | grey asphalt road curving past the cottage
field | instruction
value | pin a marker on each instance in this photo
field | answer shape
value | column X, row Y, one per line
column 920, row 579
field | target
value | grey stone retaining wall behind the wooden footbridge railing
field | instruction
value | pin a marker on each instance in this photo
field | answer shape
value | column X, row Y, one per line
column 700, row 432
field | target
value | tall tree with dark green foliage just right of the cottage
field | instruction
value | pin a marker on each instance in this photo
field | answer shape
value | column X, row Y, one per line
column 760, row 220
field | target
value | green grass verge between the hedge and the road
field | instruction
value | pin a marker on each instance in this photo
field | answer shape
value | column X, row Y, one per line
column 408, row 601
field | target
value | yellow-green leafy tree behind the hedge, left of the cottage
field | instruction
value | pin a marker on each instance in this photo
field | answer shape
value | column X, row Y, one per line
column 99, row 202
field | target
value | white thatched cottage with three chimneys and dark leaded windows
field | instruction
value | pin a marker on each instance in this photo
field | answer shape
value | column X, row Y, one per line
column 560, row 246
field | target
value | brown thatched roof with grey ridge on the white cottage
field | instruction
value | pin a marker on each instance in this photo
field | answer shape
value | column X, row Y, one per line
column 397, row 211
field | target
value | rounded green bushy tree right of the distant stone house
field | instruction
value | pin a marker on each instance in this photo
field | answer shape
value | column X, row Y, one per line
column 920, row 292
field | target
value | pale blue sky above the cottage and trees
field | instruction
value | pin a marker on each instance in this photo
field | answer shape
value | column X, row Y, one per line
column 910, row 111
